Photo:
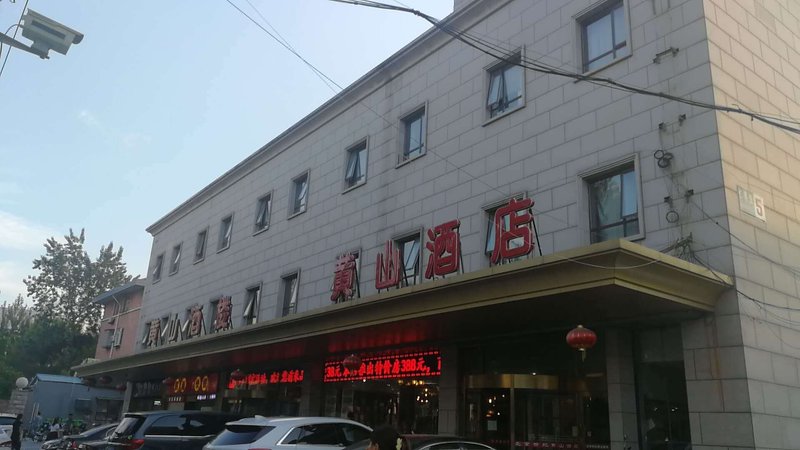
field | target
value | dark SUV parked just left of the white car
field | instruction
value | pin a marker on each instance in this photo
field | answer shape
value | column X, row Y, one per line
column 168, row 430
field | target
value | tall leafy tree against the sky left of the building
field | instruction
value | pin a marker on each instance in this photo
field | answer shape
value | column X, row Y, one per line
column 68, row 280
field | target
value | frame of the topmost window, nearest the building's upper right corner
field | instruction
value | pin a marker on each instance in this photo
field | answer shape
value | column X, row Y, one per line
column 593, row 14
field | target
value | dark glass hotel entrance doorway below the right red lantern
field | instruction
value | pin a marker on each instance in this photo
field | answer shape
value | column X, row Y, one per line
column 519, row 411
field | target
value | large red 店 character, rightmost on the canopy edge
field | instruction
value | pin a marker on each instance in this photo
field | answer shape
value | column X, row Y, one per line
column 512, row 230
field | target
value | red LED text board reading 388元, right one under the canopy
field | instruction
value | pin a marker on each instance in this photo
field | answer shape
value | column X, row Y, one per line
column 408, row 365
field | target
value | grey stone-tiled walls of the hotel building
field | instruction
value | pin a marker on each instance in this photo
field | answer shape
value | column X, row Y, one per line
column 742, row 362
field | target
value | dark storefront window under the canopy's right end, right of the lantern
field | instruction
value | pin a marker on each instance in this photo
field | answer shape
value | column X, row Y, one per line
column 661, row 386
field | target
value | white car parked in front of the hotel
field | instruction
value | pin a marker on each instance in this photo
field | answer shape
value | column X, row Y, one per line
column 289, row 433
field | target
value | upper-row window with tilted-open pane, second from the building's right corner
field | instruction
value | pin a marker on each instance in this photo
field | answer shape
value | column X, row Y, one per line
column 506, row 87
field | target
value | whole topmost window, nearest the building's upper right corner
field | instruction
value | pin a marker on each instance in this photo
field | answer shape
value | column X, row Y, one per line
column 604, row 35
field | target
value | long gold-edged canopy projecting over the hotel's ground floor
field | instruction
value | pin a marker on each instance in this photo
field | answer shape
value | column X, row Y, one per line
column 615, row 282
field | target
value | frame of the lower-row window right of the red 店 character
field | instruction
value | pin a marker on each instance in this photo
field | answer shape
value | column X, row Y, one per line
column 588, row 177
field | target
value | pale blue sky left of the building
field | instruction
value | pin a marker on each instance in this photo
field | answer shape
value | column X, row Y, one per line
column 158, row 100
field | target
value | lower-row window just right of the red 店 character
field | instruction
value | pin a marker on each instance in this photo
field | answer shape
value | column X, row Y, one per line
column 614, row 205
